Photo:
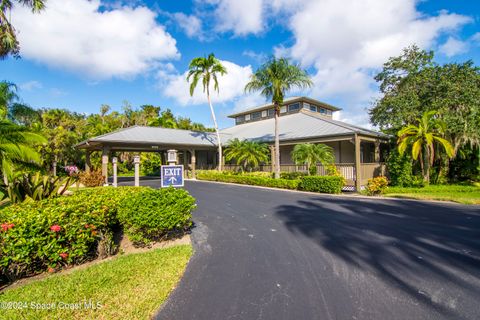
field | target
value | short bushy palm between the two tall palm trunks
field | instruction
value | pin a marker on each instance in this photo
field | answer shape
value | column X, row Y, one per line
column 247, row 153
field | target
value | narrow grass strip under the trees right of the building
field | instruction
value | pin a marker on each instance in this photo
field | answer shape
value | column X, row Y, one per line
column 456, row 193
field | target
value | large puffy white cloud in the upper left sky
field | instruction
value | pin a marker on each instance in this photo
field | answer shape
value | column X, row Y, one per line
column 100, row 42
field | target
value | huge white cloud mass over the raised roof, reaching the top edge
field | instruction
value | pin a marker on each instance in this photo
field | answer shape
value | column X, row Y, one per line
column 344, row 42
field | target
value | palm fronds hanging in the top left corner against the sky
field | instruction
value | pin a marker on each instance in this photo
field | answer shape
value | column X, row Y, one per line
column 8, row 38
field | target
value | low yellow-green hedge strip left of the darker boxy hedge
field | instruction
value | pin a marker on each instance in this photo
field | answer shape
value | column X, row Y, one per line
column 247, row 179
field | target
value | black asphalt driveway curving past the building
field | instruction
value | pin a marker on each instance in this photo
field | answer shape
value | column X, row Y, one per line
column 263, row 254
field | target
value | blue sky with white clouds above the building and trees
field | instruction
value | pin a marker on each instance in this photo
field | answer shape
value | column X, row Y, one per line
column 79, row 54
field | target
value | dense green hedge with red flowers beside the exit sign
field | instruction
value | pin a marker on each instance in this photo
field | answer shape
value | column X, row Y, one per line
column 52, row 233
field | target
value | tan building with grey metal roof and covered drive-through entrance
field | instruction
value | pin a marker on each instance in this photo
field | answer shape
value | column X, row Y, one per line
column 357, row 150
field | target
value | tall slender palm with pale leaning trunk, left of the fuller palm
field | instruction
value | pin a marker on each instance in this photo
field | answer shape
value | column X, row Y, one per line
column 207, row 69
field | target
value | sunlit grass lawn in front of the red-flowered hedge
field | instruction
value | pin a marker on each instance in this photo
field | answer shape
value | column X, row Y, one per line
column 128, row 287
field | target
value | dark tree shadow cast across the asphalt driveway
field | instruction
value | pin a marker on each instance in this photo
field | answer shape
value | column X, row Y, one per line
column 400, row 242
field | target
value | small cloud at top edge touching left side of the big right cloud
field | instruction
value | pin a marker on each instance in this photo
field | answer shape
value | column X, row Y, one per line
column 240, row 17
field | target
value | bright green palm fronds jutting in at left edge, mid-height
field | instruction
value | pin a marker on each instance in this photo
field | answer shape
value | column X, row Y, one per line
column 16, row 148
